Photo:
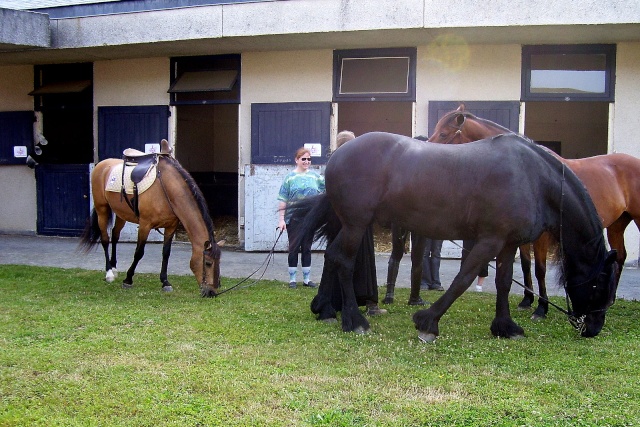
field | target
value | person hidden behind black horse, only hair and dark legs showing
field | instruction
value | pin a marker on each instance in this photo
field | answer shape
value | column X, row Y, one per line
column 365, row 281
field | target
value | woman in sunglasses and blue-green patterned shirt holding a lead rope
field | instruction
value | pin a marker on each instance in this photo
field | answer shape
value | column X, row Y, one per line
column 297, row 185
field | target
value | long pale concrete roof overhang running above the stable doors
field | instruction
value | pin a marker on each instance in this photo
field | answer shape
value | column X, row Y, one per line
column 323, row 24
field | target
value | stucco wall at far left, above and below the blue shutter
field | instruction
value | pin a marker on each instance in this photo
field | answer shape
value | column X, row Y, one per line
column 18, row 199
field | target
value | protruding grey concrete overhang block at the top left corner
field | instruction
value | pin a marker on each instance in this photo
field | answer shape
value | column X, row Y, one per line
column 21, row 30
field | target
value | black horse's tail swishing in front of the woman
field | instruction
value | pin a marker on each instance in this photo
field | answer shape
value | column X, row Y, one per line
column 317, row 217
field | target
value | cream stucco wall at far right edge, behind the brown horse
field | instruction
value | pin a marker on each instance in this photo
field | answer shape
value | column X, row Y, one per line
column 626, row 122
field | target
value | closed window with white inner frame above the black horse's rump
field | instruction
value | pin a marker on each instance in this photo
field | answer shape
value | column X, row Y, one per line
column 374, row 74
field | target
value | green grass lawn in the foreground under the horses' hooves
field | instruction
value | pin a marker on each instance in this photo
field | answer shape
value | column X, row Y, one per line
column 75, row 351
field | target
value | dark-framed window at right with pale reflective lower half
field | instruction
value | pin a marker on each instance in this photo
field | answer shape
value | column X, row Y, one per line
column 568, row 73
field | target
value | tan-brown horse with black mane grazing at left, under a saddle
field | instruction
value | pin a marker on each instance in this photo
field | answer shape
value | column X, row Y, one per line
column 172, row 198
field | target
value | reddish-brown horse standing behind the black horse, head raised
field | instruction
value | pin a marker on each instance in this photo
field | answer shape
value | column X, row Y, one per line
column 612, row 180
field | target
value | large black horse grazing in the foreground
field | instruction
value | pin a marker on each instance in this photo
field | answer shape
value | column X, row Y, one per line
column 501, row 192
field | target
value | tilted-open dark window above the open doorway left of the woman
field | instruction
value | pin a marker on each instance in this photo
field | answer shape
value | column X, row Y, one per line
column 199, row 80
